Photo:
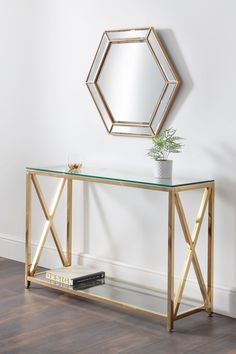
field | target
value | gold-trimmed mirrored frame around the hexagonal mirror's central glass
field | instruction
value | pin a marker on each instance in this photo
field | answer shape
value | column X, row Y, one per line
column 164, row 66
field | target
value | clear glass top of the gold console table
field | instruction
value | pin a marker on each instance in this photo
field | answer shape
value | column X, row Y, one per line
column 119, row 176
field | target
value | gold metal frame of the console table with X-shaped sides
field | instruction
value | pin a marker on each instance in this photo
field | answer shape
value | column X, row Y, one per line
column 174, row 204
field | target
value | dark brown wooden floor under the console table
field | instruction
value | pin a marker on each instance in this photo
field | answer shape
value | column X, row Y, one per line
column 41, row 320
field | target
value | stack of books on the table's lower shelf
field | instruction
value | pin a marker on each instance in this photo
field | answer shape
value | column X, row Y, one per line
column 76, row 277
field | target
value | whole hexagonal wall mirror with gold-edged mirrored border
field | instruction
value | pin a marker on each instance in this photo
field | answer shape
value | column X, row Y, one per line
column 132, row 82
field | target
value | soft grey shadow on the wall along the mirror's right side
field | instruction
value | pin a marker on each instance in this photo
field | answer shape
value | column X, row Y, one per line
column 186, row 84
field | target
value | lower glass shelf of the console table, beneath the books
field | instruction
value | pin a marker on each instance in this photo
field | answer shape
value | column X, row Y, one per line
column 122, row 294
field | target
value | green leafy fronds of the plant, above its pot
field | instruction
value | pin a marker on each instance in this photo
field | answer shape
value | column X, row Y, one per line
column 164, row 144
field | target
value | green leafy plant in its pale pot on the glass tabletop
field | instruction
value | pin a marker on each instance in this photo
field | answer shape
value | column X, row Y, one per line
column 164, row 144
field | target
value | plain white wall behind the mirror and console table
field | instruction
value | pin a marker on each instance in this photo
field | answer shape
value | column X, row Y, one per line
column 46, row 49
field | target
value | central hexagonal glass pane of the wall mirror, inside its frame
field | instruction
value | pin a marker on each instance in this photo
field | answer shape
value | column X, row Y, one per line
column 122, row 69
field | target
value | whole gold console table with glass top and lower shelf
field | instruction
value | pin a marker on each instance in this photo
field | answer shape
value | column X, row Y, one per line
column 116, row 292
